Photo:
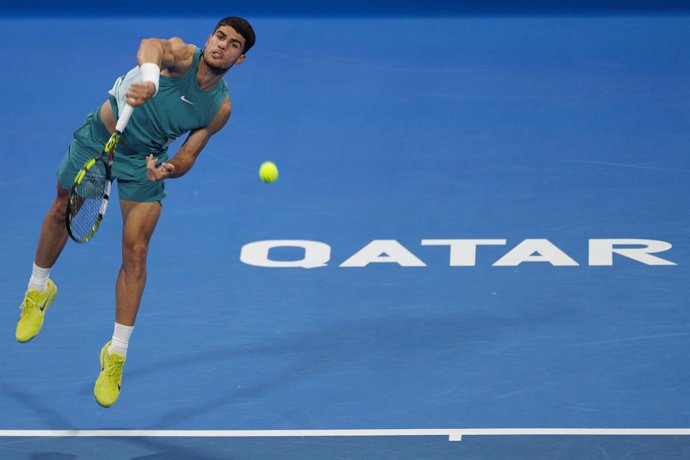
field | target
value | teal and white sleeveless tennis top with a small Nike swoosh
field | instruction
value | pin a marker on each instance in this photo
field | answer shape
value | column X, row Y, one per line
column 178, row 107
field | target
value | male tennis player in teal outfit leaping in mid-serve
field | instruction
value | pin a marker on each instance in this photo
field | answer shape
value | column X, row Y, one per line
column 176, row 88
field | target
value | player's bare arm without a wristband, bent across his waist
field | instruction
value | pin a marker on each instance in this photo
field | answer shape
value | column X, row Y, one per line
column 190, row 150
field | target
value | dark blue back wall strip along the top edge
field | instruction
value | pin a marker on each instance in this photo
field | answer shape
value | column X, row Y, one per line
column 343, row 7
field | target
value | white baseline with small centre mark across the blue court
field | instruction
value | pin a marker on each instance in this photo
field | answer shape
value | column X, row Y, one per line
column 454, row 434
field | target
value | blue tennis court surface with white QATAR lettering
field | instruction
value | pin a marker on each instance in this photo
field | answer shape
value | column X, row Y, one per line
column 477, row 247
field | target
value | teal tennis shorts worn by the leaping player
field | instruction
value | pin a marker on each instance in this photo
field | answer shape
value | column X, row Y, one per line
column 88, row 141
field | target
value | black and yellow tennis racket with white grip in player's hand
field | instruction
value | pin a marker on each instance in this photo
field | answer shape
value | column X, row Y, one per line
column 90, row 193
